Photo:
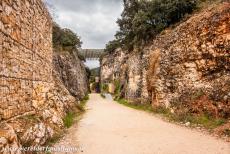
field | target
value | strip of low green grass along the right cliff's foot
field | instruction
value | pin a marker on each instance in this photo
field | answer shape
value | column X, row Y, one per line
column 205, row 121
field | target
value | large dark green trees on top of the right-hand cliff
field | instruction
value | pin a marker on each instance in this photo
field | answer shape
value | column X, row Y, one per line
column 142, row 20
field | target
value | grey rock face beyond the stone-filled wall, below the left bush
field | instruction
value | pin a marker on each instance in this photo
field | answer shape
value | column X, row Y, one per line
column 72, row 72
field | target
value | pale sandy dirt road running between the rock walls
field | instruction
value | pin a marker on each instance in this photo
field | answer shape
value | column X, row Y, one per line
column 110, row 128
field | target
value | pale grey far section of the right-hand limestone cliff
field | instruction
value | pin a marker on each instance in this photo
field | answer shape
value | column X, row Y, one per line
column 130, row 71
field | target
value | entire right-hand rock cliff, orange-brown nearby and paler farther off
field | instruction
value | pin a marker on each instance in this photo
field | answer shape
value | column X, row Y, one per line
column 186, row 68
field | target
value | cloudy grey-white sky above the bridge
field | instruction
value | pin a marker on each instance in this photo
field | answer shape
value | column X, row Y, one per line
column 93, row 20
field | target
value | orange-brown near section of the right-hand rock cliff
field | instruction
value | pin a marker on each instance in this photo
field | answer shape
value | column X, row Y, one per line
column 190, row 65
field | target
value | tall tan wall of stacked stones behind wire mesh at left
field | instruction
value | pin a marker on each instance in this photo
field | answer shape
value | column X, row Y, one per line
column 26, row 56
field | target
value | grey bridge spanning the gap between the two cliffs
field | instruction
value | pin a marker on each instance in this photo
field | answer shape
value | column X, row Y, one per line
column 91, row 53
